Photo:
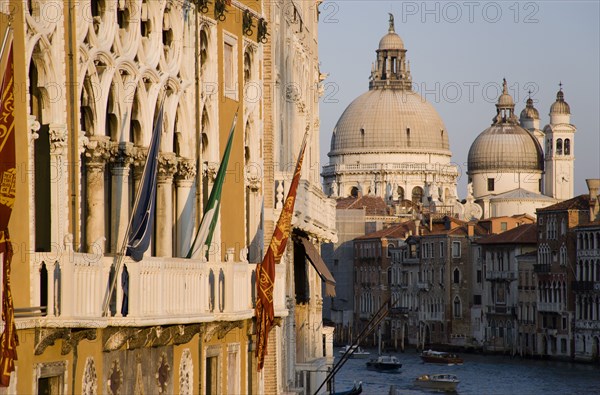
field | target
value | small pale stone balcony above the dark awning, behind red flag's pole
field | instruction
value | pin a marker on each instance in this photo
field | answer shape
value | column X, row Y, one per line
column 313, row 211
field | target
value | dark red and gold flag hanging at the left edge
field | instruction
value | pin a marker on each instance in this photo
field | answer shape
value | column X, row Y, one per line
column 8, row 340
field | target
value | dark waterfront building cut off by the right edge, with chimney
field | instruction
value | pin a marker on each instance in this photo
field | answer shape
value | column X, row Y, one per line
column 587, row 281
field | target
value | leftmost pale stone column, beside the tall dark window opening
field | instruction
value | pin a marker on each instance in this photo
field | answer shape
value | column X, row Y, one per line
column 59, row 180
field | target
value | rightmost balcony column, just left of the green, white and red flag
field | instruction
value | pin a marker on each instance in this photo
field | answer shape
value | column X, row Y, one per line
column 184, row 180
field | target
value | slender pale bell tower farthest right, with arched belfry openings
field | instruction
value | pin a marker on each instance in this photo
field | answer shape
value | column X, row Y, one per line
column 559, row 150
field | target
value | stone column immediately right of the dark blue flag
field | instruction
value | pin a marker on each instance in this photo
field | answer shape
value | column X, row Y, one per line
column 167, row 165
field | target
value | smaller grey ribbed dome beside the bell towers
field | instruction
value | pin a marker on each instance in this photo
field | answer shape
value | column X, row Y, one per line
column 505, row 147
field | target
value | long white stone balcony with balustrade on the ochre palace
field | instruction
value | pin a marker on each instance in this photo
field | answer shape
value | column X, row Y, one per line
column 161, row 291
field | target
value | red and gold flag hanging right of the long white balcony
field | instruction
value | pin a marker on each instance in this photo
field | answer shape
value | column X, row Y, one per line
column 265, row 271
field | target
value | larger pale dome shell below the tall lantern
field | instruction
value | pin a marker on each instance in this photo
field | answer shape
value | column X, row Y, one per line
column 389, row 120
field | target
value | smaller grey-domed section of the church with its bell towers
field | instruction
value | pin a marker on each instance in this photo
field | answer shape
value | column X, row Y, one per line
column 509, row 172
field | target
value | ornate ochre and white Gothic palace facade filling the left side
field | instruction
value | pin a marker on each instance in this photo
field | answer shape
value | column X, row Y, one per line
column 98, row 77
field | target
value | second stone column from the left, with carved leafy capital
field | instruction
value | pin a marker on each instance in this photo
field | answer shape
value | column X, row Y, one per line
column 97, row 152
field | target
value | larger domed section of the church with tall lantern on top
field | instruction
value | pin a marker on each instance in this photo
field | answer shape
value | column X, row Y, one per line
column 390, row 142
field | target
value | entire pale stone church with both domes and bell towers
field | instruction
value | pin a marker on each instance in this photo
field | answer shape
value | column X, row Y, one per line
column 391, row 143
